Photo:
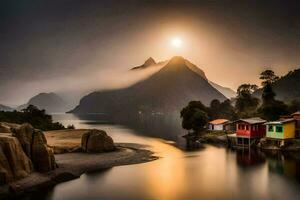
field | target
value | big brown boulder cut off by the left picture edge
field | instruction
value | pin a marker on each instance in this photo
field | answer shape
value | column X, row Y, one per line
column 14, row 163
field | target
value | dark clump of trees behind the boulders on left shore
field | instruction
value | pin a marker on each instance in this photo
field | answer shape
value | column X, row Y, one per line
column 37, row 118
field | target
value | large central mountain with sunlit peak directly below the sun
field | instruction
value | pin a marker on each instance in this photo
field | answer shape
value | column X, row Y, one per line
column 167, row 90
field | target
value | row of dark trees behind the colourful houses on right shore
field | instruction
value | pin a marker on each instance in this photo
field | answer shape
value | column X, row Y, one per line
column 195, row 115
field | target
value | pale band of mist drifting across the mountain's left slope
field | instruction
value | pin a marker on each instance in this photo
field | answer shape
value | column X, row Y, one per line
column 72, row 88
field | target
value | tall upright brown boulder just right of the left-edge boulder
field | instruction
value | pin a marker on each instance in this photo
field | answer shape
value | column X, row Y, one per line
column 35, row 147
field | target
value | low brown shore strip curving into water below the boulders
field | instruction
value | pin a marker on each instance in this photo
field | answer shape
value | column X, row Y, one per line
column 73, row 165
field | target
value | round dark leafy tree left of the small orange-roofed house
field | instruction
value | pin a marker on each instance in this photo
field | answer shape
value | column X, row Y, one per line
column 194, row 116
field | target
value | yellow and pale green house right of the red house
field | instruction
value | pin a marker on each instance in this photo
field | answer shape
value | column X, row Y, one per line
column 282, row 129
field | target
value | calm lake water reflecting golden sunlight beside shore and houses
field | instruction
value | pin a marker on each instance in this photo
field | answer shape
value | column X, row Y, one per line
column 209, row 173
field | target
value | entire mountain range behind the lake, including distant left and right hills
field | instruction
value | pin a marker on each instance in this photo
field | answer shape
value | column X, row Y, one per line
column 169, row 87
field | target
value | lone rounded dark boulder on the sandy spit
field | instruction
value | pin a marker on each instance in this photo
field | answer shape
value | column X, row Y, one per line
column 96, row 141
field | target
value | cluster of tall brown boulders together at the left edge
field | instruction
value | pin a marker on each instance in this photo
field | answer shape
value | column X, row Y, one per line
column 22, row 151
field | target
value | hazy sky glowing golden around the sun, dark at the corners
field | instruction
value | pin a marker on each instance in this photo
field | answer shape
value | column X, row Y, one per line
column 67, row 45
